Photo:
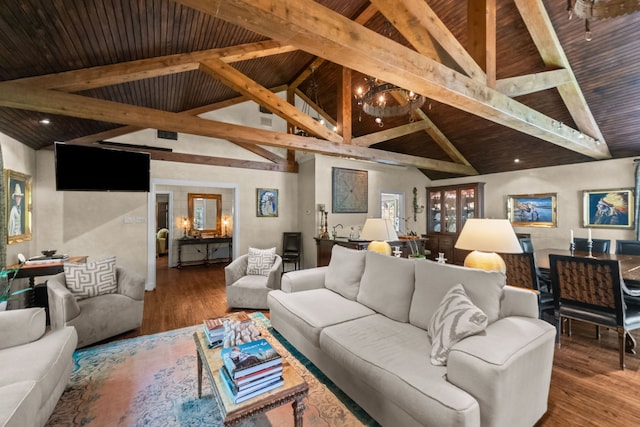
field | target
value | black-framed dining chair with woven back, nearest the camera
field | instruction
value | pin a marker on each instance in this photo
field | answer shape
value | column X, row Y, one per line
column 590, row 290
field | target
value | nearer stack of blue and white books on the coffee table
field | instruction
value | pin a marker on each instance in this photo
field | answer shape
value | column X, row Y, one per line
column 250, row 369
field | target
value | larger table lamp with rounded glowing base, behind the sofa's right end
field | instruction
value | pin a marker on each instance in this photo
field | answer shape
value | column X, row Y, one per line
column 484, row 237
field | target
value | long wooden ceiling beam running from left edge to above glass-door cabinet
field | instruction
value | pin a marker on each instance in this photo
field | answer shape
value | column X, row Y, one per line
column 19, row 96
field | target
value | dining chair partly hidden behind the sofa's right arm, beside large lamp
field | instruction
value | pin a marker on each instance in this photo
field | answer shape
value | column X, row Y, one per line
column 522, row 272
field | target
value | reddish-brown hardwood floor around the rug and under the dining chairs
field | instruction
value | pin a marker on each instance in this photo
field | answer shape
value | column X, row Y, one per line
column 587, row 388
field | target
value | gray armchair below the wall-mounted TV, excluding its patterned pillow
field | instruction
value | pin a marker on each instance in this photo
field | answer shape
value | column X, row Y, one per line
column 101, row 317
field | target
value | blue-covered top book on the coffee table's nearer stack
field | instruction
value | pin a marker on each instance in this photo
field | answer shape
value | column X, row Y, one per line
column 247, row 358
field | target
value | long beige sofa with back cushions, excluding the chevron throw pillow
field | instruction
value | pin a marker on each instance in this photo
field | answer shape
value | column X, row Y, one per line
column 364, row 319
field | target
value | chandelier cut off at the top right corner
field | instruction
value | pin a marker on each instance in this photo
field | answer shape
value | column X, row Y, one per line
column 591, row 10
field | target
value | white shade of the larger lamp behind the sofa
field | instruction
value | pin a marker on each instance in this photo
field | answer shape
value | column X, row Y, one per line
column 488, row 235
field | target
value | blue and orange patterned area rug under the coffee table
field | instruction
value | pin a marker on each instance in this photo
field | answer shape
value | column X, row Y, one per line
column 152, row 381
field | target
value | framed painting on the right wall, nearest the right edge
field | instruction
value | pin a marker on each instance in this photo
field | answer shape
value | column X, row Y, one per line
column 608, row 208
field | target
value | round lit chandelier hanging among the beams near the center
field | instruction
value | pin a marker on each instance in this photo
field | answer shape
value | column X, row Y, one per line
column 374, row 101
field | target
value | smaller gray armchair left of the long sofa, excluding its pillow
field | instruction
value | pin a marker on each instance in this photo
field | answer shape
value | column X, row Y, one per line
column 250, row 291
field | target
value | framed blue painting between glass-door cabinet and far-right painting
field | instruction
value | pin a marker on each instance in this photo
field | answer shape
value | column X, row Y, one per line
column 532, row 210
